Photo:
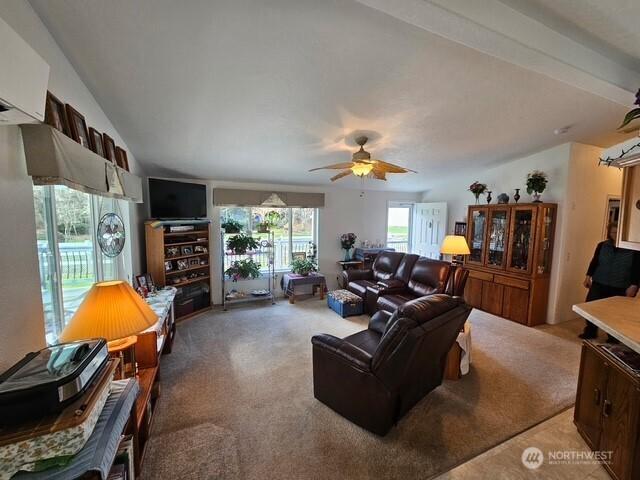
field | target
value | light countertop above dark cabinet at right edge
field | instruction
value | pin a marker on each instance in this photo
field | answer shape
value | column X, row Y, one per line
column 618, row 316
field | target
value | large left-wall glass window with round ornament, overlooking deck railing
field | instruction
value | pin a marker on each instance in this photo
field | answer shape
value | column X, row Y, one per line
column 69, row 257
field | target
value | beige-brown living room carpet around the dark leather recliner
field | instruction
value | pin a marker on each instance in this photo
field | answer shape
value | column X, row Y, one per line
column 237, row 399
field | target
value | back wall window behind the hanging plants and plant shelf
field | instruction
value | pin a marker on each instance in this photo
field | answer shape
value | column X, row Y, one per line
column 294, row 235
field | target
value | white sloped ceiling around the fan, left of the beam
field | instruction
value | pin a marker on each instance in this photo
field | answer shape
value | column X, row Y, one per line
column 263, row 91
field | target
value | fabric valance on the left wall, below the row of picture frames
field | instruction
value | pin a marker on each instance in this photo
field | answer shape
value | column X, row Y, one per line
column 55, row 159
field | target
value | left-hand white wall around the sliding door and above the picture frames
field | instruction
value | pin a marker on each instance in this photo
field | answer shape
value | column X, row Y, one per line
column 21, row 322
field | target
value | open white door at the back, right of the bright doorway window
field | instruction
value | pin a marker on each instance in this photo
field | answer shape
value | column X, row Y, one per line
column 429, row 228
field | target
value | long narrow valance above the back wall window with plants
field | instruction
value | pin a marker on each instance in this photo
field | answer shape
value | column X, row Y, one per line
column 230, row 197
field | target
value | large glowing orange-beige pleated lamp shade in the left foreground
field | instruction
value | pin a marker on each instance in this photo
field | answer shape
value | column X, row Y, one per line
column 111, row 310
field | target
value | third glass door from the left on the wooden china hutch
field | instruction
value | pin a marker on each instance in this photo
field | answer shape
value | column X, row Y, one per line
column 523, row 220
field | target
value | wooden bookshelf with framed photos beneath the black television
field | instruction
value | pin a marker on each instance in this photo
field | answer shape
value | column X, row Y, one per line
column 167, row 247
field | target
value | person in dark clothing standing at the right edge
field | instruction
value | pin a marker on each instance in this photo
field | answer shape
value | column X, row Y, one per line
column 612, row 272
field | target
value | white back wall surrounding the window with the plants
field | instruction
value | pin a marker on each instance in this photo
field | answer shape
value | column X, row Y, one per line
column 344, row 211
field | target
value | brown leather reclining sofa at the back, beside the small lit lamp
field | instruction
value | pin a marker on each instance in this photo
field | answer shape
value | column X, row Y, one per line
column 397, row 278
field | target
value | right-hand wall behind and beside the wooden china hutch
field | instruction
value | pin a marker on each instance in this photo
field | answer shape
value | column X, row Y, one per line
column 580, row 189
